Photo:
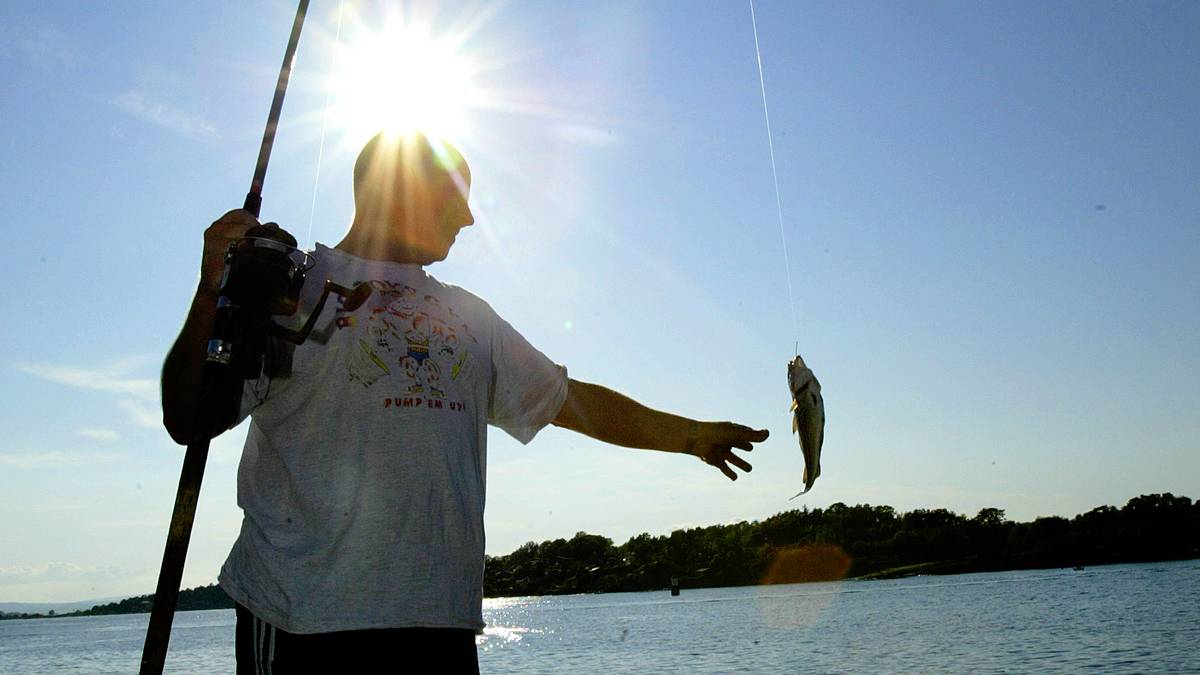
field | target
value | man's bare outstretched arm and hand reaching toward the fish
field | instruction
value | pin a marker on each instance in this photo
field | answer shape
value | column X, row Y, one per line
column 608, row 416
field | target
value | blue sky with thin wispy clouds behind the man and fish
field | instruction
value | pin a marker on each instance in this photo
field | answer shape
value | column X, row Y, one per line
column 991, row 214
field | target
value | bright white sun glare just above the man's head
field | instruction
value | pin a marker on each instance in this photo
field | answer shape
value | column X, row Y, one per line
column 403, row 79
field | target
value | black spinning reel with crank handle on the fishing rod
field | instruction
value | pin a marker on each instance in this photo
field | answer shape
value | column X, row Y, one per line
column 263, row 277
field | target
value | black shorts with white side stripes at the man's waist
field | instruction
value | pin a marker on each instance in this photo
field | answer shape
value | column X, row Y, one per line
column 262, row 648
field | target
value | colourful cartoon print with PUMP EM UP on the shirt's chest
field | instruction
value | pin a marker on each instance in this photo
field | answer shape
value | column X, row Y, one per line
column 411, row 341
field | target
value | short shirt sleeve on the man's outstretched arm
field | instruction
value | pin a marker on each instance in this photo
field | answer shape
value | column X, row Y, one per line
column 529, row 390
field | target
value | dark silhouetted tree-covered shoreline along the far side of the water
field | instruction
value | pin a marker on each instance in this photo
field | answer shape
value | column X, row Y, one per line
column 815, row 546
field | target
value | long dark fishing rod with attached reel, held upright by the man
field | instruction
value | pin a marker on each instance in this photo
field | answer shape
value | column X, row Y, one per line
column 260, row 279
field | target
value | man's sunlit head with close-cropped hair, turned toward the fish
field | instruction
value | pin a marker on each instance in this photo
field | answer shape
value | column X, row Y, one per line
column 411, row 194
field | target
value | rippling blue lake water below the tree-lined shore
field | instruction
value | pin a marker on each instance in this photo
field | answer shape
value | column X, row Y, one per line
column 1115, row 619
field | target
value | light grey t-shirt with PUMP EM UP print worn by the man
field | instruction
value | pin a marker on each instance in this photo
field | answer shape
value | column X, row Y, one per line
column 363, row 479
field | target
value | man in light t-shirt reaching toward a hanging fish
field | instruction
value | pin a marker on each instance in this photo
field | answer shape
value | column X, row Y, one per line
column 363, row 477
